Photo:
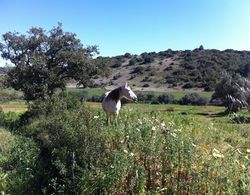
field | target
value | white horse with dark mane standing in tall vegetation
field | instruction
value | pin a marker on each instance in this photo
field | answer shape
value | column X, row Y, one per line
column 111, row 103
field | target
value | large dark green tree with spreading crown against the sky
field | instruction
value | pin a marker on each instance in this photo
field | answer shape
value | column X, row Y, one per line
column 46, row 60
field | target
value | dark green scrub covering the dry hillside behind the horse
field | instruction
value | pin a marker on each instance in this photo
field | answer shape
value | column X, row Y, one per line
column 200, row 68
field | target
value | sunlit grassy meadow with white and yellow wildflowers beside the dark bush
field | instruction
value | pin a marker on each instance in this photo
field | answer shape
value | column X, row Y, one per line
column 169, row 149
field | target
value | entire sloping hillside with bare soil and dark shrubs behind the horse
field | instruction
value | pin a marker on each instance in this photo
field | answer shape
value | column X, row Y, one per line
column 170, row 70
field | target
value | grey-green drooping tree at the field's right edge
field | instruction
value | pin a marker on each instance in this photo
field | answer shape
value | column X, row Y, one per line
column 234, row 92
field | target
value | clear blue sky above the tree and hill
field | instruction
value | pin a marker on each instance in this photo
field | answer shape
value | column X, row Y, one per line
column 136, row 26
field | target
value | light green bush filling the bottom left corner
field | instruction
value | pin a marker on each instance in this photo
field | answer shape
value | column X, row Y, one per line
column 19, row 164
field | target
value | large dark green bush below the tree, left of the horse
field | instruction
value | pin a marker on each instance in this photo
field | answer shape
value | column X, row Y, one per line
column 75, row 150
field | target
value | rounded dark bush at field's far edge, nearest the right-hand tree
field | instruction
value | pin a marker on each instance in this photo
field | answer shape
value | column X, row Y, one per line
column 193, row 99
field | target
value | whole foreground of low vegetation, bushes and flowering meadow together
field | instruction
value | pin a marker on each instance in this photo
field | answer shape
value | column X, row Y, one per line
column 62, row 145
